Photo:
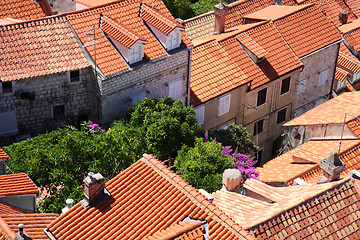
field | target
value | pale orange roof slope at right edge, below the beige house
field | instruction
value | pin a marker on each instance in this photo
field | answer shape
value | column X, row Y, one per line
column 330, row 112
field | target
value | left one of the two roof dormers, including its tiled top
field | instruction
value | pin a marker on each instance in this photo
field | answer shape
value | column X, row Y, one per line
column 130, row 46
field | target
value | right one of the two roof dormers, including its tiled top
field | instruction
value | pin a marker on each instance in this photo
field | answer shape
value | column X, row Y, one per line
column 167, row 31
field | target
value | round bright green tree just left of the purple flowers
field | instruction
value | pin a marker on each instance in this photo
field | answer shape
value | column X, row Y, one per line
column 203, row 165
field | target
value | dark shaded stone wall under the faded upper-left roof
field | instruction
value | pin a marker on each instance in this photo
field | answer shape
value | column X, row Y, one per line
column 35, row 115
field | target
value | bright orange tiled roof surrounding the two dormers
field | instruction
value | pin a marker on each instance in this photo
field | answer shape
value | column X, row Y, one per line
column 125, row 13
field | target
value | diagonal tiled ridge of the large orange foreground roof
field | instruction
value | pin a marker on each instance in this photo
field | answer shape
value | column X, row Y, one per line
column 197, row 197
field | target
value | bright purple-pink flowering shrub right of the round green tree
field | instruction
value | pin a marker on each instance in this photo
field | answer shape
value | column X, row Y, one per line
column 244, row 163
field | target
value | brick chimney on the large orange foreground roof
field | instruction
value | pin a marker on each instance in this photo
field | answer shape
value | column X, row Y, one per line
column 94, row 185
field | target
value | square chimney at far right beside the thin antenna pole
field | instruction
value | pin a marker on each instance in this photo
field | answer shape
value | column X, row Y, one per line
column 332, row 166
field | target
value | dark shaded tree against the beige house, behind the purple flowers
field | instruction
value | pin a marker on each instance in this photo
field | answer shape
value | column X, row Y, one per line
column 235, row 136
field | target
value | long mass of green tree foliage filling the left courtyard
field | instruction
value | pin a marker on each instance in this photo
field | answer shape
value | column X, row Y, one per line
column 58, row 161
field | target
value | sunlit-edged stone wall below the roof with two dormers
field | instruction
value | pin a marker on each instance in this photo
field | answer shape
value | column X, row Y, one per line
column 152, row 78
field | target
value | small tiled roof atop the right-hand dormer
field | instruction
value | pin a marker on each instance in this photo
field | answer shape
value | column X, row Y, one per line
column 155, row 18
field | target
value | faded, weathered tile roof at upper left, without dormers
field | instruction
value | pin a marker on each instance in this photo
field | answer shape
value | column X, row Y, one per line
column 37, row 48
